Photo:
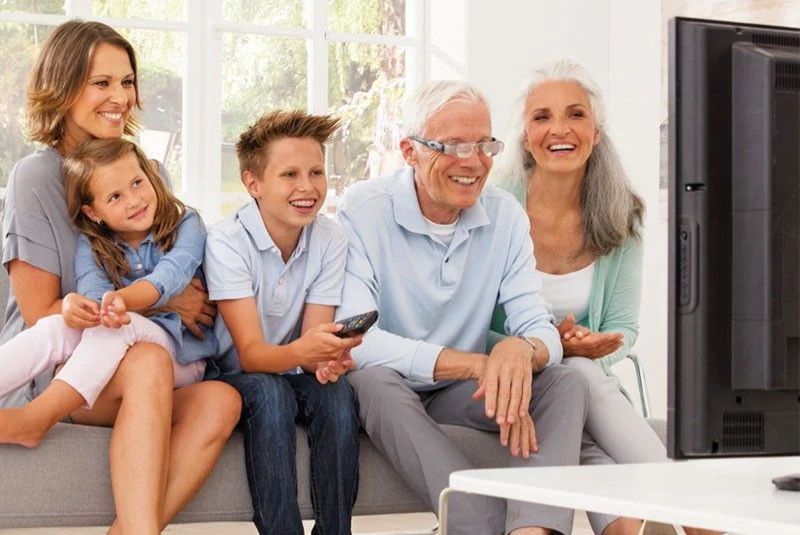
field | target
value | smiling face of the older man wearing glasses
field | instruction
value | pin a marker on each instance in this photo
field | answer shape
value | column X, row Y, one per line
column 447, row 184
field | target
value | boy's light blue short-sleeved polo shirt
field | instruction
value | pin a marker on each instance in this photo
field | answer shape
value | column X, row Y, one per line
column 243, row 261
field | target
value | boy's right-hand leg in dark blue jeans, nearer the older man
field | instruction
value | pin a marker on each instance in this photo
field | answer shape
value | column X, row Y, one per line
column 331, row 414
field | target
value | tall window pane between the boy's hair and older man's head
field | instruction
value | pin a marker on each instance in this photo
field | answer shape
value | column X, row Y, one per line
column 366, row 90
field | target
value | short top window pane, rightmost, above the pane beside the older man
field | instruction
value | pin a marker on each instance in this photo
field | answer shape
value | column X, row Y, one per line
column 385, row 17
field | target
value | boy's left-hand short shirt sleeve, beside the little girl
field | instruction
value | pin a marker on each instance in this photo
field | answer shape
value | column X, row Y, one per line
column 228, row 273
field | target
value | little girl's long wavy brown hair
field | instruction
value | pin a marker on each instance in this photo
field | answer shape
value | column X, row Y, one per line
column 78, row 170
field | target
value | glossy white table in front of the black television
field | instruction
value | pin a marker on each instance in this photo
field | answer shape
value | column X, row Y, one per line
column 734, row 494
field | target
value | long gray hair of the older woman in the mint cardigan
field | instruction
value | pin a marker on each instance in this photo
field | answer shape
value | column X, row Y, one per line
column 611, row 211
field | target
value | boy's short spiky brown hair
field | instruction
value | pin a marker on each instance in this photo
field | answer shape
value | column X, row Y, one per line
column 252, row 149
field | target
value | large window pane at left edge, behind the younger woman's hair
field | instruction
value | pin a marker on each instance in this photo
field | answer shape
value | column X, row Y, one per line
column 19, row 44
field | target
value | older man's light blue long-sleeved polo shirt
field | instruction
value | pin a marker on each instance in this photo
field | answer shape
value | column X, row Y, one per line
column 429, row 295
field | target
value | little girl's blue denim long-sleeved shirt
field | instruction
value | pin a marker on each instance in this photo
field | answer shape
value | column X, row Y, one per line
column 169, row 272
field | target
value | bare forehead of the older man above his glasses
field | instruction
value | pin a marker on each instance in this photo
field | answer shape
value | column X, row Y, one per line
column 461, row 119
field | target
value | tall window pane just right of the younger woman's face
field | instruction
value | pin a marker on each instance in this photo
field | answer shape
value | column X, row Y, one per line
column 161, row 55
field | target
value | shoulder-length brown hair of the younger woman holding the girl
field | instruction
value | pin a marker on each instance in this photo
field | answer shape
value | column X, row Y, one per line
column 60, row 72
